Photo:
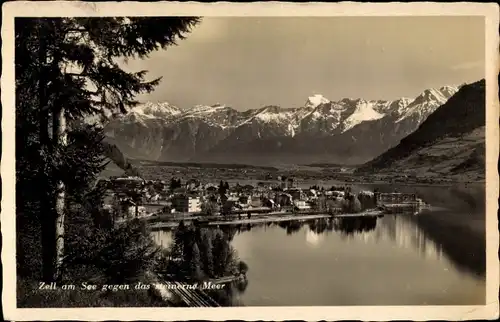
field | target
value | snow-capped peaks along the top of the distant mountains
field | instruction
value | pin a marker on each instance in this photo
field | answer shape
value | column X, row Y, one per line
column 318, row 115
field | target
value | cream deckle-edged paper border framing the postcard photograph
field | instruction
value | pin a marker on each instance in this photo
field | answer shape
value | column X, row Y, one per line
column 69, row 8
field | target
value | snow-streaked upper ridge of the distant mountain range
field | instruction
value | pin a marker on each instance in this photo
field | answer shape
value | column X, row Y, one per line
column 345, row 114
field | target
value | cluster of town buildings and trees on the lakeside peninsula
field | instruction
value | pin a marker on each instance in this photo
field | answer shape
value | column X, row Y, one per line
column 136, row 197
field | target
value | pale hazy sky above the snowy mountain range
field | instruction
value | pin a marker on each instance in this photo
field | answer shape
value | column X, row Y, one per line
column 251, row 62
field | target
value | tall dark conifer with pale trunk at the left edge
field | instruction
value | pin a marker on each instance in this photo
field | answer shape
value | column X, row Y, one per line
column 66, row 71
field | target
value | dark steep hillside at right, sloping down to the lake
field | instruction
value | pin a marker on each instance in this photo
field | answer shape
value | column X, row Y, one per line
column 451, row 141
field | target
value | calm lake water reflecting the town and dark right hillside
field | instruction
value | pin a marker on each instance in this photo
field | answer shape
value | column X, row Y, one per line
column 435, row 258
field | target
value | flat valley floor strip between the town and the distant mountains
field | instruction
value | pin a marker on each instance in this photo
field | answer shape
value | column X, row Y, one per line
column 304, row 175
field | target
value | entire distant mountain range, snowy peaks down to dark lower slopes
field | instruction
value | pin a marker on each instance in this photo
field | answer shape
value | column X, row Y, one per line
column 349, row 131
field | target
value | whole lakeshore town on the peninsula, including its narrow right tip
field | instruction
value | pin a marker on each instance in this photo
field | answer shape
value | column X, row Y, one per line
column 160, row 201
